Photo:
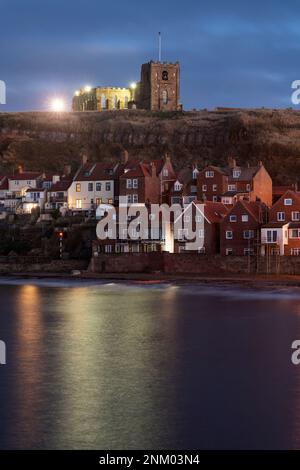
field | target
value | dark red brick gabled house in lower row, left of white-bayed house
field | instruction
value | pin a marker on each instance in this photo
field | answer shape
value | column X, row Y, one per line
column 240, row 228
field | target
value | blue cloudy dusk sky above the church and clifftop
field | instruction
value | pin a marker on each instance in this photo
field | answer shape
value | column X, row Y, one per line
column 232, row 53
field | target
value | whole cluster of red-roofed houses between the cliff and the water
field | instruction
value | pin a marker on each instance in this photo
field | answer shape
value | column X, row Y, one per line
column 243, row 213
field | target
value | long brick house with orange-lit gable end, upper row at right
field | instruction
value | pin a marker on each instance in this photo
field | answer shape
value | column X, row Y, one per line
column 232, row 183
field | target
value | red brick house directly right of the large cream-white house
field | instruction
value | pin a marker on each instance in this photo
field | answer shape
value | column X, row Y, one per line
column 140, row 183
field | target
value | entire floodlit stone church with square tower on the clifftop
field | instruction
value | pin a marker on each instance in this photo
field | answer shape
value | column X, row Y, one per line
column 158, row 90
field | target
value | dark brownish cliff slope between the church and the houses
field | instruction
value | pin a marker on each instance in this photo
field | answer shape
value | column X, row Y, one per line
column 48, row 141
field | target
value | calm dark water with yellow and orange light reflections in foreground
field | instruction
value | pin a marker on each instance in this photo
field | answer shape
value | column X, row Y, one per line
column 124, row 366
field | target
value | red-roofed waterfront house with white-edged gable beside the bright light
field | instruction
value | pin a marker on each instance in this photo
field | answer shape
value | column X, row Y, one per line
column 211, row 213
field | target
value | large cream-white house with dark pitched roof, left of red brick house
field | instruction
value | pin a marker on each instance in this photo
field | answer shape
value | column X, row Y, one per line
column 93, row 184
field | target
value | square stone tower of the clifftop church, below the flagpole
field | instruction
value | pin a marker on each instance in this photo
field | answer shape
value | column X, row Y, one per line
column 159, row 88
